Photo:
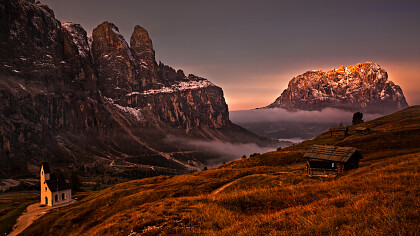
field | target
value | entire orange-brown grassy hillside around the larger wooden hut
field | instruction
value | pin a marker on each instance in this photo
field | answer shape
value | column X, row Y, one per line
column 265, row 194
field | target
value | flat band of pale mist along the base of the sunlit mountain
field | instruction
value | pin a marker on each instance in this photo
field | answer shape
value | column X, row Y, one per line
column 325, row 116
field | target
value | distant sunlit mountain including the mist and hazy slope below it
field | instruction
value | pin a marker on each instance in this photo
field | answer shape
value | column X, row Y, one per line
column 325, row 95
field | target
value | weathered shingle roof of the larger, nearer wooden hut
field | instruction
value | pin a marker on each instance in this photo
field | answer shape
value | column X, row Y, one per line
column 330, row 153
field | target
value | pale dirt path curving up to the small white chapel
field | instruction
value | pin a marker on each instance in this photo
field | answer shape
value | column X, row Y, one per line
column 32, row 213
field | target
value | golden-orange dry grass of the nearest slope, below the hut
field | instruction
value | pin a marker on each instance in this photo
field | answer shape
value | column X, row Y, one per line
column 381, row 199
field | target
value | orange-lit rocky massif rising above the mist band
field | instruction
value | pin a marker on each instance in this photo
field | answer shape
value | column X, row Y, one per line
column 362, row 87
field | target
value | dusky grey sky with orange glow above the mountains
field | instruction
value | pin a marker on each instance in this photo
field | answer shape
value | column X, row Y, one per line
column 251, row 49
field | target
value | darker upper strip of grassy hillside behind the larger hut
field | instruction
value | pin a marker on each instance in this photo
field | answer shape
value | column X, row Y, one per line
column 395, row 134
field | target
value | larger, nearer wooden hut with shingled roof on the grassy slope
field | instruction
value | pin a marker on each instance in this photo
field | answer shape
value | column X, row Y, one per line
column 331, row 158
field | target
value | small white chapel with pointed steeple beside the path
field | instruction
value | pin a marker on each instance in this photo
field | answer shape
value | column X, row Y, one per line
column 54, row 189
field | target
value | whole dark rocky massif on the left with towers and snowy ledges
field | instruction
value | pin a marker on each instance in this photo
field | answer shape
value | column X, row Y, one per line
column 80, row 101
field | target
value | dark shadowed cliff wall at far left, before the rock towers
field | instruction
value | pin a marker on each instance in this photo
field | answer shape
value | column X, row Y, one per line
column 44, row 86
